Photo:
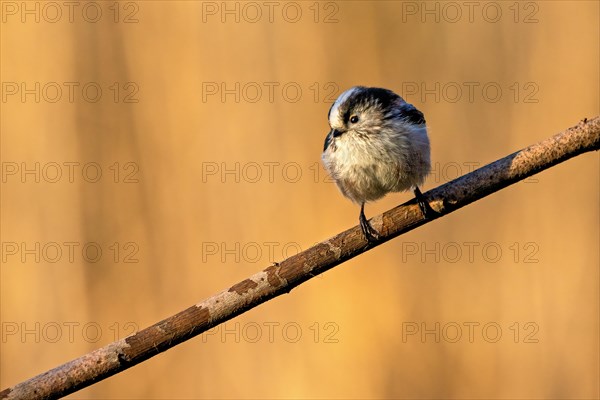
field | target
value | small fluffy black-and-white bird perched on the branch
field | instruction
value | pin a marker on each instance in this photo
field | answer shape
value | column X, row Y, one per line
column 377, row 144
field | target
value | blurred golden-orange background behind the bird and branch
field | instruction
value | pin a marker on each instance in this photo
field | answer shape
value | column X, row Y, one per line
column 154, row 153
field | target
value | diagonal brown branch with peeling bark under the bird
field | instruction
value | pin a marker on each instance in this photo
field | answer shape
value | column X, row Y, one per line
column 282, row 277
